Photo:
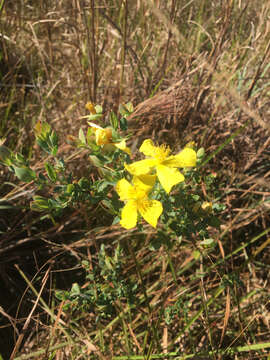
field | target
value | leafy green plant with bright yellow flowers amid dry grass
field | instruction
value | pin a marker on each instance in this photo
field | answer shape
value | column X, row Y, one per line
column 153, row 188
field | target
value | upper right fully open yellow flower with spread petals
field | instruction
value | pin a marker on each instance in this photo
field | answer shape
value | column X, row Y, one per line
column 163, row 163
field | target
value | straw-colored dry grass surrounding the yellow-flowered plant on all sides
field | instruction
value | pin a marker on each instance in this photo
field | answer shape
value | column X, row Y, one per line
column 195, row 70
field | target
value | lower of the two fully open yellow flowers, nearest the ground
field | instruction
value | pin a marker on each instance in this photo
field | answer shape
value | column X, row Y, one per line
column 137, row 199
